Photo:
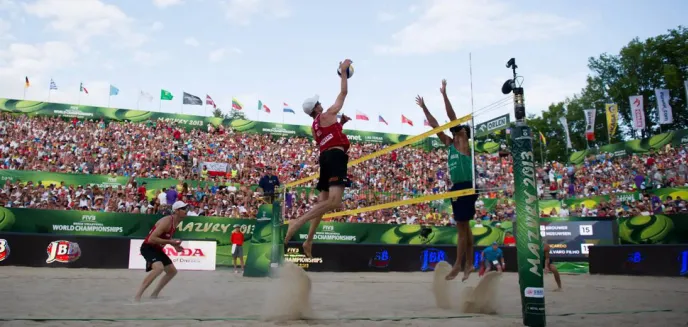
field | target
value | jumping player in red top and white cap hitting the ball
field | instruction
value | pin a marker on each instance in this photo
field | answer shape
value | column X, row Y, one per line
column 333, row 160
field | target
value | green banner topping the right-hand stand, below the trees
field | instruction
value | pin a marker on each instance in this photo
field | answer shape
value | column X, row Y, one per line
column 657, row 142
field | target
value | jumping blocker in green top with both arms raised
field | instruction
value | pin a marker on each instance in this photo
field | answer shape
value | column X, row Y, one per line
column 461, row 174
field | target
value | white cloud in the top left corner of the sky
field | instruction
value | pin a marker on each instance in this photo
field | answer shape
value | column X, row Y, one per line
column 85, row 19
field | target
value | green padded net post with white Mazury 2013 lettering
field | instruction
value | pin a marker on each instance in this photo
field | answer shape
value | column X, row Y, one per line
column 528, row 242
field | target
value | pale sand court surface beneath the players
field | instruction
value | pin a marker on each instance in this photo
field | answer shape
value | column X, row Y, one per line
column 90, row 297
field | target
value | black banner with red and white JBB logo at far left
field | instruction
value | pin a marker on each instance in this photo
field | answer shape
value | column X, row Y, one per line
column 45, row 250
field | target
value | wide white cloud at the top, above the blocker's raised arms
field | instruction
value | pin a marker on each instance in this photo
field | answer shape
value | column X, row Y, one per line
column 450, row 25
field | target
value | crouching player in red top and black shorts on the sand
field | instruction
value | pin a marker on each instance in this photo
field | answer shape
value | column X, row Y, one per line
column 152, row 250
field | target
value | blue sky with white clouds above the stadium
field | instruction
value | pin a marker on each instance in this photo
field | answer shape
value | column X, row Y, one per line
column 284, row 51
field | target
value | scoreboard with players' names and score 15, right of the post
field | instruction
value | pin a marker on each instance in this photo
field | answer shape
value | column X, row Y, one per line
column 570, row 238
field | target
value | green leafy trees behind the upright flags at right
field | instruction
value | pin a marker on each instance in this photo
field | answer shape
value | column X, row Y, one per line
column 639, row 68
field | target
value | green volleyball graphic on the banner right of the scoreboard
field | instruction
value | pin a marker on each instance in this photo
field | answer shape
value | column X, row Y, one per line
column 645, row 229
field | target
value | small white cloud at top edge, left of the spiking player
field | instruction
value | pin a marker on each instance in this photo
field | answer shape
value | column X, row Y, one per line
column 241, row 12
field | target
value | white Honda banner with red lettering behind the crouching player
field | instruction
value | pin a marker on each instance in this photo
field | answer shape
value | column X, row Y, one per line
column 196, row 255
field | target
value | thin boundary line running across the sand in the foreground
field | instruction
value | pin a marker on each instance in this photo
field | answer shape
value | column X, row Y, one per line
column 256, row 318
